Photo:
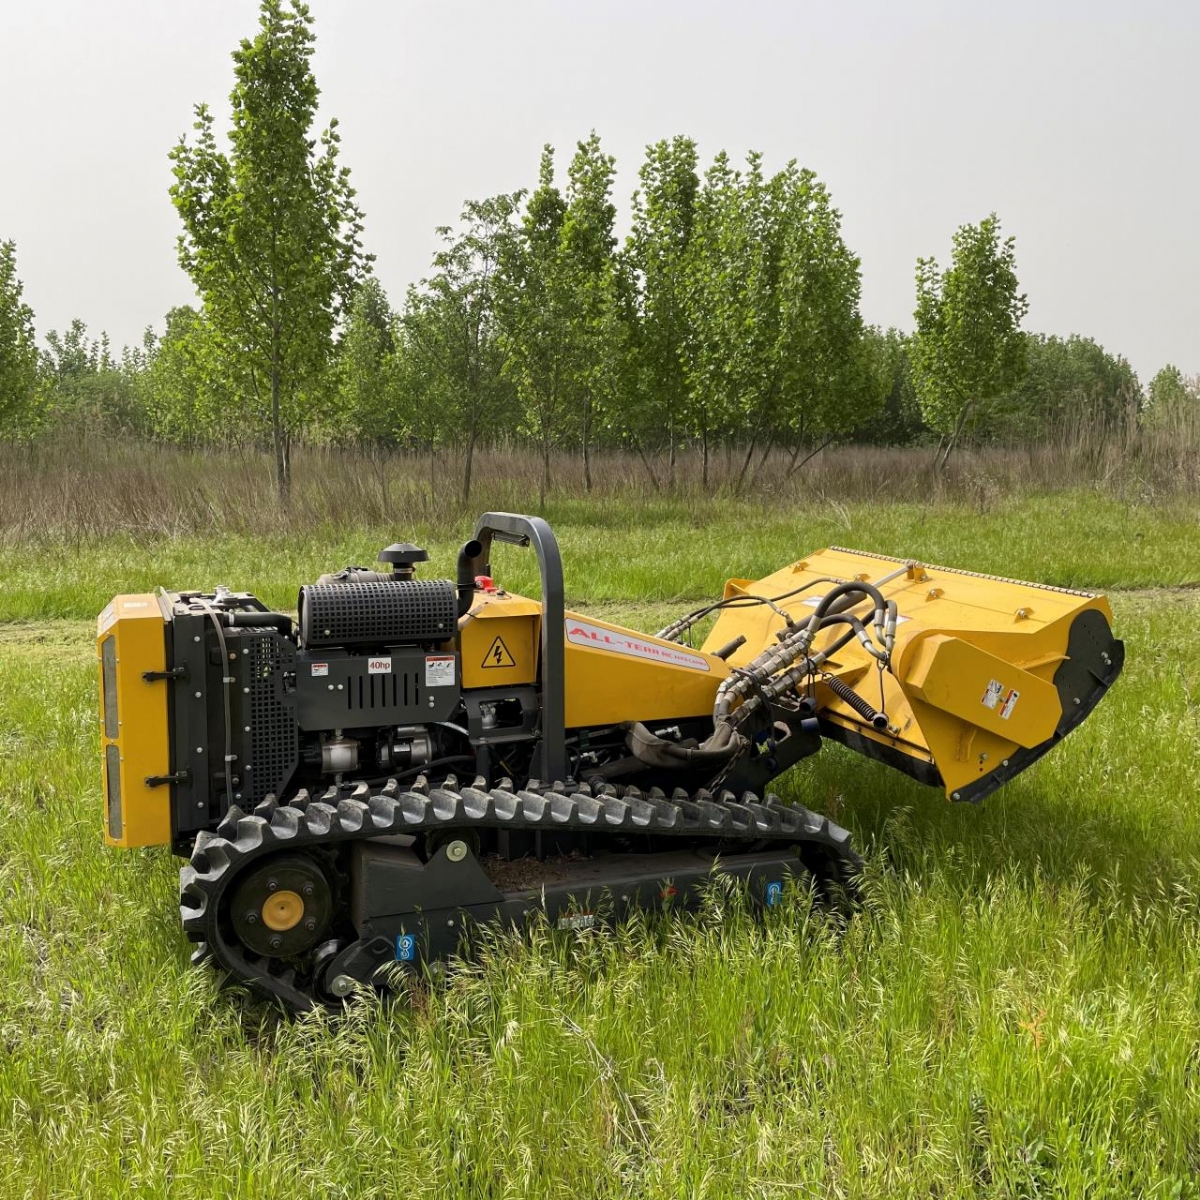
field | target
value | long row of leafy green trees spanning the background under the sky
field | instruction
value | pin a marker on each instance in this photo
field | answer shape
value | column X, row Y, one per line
column 729, row 316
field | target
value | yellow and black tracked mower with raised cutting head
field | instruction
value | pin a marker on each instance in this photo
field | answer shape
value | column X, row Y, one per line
column 410, row 758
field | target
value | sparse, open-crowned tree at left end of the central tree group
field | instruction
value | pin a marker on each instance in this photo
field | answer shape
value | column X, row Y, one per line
column 452, row 325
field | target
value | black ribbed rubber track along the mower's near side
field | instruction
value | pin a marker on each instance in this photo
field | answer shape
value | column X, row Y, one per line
column 357, row 813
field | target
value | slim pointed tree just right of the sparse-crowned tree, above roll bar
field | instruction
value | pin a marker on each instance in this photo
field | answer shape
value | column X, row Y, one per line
column 535, row 316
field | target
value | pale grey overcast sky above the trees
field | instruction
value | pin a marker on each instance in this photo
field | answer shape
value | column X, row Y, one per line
column 1077, row 122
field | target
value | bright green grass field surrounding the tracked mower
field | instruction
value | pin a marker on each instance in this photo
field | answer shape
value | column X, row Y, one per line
column 1015, row 1013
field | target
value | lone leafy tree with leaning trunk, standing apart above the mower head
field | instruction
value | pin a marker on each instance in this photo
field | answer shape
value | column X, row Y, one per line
column 968, row 349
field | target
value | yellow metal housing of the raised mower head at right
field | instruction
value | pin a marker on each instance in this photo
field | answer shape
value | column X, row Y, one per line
column 958, row 635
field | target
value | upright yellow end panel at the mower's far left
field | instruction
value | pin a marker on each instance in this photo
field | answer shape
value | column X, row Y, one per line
column 131, row 640
